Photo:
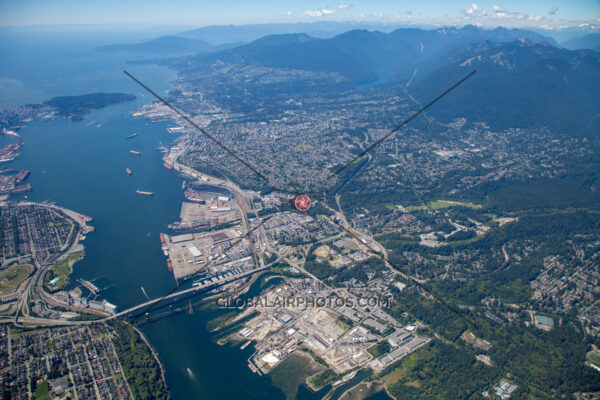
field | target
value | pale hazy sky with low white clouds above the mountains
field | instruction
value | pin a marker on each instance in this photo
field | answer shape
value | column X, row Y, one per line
column 201, row 12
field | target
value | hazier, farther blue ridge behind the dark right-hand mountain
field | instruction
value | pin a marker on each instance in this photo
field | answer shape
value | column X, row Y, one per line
column 359, row 55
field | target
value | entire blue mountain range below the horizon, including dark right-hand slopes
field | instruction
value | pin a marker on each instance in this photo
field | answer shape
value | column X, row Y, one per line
column 523, row 79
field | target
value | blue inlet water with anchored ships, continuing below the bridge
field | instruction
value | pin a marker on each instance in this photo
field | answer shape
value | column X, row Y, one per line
column 81, row 166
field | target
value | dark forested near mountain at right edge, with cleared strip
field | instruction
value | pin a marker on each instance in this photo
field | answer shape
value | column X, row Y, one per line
column 520, row 84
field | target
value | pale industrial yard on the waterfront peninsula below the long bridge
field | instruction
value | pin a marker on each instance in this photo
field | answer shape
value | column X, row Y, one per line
column 305, row 314
